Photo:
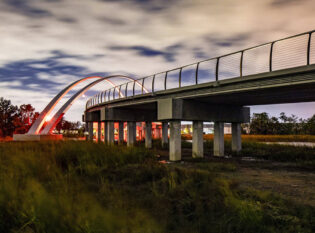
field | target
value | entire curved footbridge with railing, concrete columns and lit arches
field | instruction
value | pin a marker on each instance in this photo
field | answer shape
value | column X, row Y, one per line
column 214, row 90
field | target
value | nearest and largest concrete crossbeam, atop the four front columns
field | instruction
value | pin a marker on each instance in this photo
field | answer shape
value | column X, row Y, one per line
column 189, row 110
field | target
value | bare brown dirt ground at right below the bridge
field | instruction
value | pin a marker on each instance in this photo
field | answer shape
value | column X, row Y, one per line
column 288, row 180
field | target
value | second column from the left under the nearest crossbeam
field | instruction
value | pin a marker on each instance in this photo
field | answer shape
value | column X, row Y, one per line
column 197, row 139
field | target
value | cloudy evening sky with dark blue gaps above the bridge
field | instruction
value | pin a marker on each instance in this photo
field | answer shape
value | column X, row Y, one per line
column 47, row 44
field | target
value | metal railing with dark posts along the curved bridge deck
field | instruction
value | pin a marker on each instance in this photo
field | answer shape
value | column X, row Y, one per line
column 218, row 60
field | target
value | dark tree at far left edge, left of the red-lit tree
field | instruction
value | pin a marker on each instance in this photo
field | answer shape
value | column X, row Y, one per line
column 8, row 115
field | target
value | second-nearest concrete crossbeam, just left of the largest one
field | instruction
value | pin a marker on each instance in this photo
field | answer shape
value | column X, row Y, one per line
column 127, row 114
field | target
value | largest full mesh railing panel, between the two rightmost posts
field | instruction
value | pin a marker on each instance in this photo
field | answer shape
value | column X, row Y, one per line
column 290, row 53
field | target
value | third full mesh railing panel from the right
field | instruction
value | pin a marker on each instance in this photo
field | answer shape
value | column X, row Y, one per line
column 229, row 66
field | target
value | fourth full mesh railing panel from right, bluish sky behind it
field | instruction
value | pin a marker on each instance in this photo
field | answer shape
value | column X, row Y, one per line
column 206, row 71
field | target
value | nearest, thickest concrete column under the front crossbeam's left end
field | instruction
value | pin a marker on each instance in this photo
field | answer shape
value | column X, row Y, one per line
column 175, row 141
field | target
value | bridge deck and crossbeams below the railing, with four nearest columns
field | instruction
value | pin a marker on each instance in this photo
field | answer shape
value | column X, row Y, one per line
column 220, row 102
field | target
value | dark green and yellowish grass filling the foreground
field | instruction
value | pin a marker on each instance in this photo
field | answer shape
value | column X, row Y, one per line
column 87, row 187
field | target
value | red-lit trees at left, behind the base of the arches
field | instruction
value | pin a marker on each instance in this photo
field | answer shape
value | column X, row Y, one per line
column 19, row 119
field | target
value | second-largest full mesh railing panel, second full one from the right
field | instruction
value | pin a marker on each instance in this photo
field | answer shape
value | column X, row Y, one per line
column 256, row 60
